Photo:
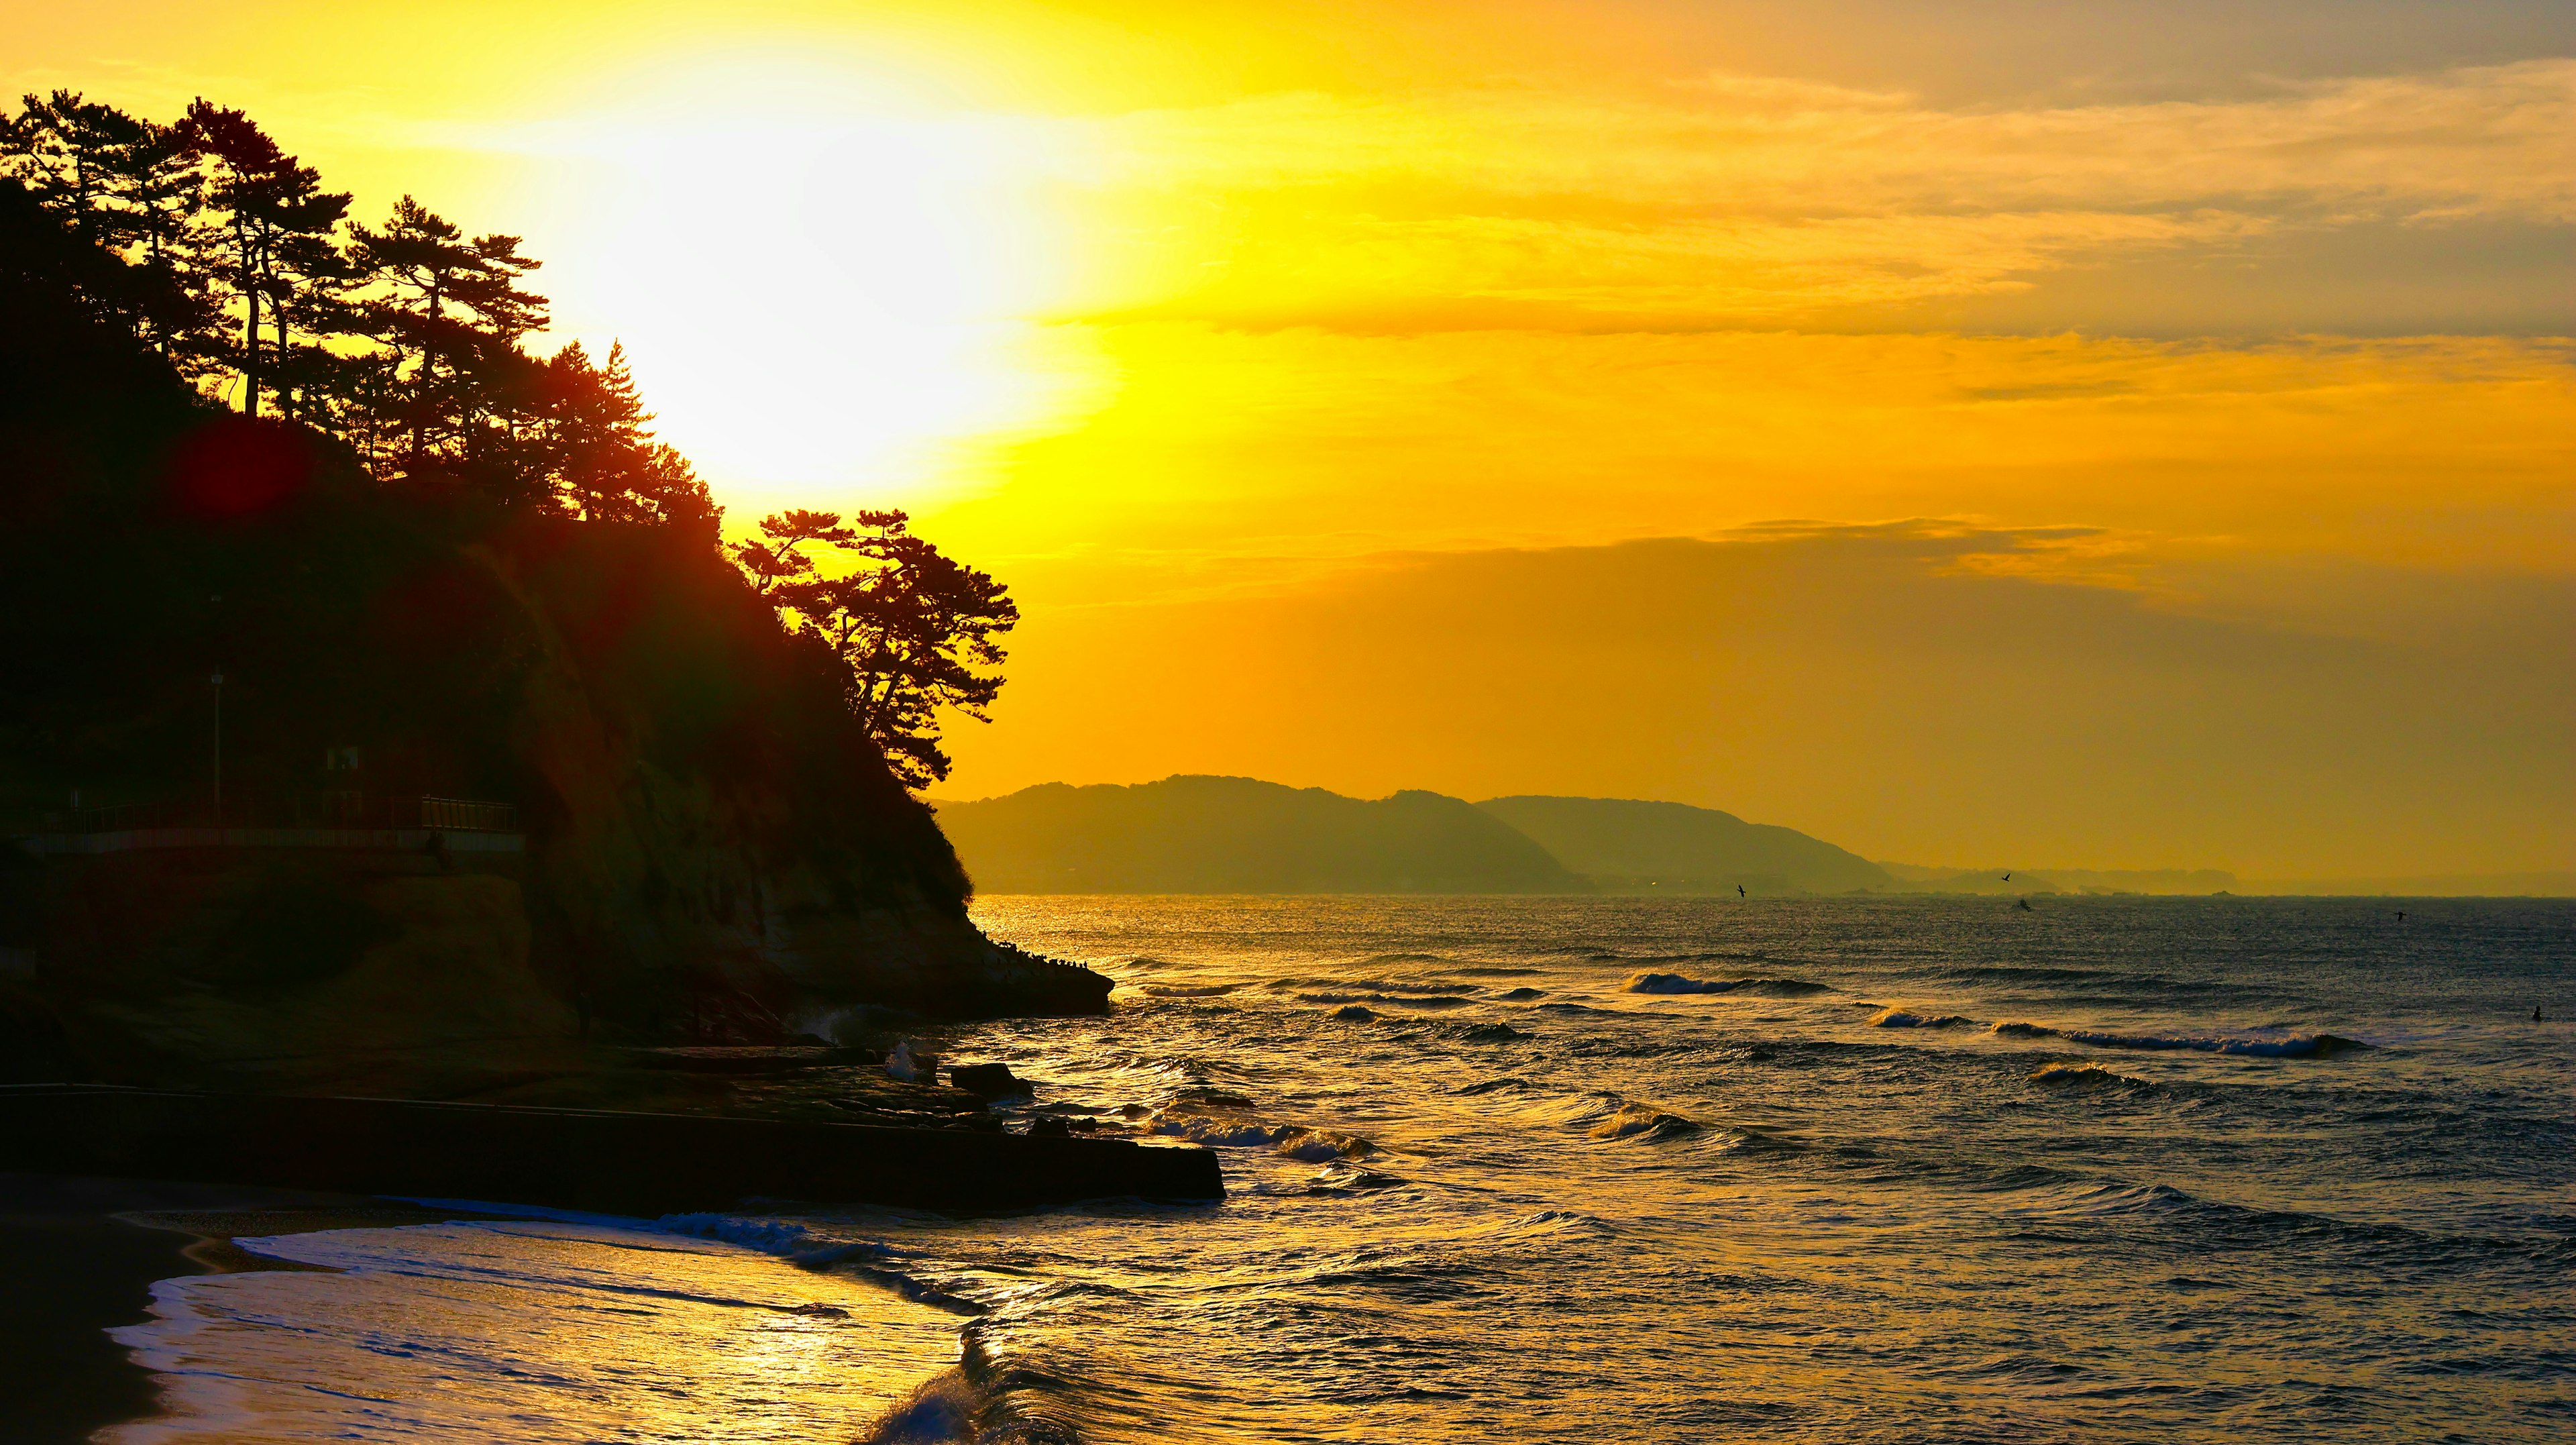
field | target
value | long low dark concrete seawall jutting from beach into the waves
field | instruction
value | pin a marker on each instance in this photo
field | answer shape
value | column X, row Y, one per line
column 589, row 1160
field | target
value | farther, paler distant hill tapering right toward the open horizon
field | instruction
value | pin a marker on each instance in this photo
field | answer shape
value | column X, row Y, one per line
column 1676, row 849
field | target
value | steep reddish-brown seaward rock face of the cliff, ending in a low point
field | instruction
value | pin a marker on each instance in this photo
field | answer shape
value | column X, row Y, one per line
column 715, row 851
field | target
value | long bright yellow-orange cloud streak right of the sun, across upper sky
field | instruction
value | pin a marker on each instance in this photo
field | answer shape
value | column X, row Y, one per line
column 1768, row 200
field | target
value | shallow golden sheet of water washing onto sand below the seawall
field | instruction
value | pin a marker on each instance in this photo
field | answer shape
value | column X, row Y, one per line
column 529, row 1333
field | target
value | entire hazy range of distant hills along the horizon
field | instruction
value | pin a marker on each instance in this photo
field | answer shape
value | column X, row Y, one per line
column 1240, row 836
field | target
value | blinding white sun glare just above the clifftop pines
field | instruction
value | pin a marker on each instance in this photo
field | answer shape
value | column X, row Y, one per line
column 823, row 303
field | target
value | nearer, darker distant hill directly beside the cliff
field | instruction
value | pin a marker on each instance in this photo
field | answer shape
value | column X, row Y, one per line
column 1240, row 836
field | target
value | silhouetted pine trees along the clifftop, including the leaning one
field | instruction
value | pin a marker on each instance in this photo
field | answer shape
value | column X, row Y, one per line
column 223, row 256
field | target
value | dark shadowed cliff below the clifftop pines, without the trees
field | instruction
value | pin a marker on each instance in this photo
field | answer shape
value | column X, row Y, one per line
column 715, row 851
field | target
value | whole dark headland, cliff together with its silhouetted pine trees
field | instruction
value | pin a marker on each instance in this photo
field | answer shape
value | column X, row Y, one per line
column 298, row 527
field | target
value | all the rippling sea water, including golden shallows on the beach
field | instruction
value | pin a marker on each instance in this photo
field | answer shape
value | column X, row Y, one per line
column 1609, row 1171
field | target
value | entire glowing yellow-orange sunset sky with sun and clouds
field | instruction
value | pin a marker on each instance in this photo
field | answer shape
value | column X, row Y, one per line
column 2121, row 434
